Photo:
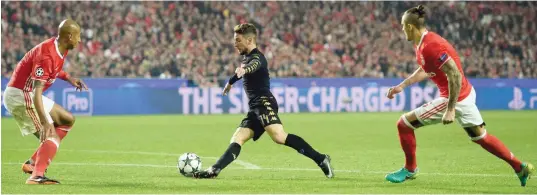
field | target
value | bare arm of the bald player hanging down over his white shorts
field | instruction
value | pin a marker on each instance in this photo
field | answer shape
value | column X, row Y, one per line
column 47, row 128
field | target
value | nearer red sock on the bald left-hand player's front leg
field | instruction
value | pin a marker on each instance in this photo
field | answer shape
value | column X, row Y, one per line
column 45, row 154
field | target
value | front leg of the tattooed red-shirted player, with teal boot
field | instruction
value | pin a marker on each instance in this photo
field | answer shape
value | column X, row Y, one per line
column 408, row 144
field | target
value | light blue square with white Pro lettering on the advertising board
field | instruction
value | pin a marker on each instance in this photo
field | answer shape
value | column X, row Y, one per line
column 78, row 103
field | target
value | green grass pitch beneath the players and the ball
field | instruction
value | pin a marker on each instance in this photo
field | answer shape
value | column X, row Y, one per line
column 138, row 154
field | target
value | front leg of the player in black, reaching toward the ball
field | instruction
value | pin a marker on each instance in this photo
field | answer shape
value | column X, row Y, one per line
column 241, row 136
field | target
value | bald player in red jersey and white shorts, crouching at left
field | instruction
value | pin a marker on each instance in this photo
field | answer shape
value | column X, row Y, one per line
column 35, row 113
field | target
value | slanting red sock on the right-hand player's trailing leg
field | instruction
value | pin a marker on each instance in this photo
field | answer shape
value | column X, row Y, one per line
column 496, row 147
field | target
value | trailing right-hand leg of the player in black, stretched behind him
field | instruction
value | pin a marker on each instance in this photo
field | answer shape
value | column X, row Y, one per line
column 279, row 136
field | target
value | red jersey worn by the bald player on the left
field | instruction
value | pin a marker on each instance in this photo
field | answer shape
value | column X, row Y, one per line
column 43, row 62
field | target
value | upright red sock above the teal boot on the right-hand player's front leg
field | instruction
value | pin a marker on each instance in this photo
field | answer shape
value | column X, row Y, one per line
column 408, row 143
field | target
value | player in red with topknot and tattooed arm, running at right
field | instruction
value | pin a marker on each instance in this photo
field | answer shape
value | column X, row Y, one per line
column 439, row 61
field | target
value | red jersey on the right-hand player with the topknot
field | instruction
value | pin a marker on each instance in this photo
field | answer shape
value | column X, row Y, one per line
column 432, row 53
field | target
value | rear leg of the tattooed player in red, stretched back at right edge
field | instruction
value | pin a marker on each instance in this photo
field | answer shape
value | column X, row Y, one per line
column 493, row 145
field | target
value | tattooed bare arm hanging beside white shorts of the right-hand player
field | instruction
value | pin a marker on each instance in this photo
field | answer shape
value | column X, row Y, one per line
column 454, row 84
